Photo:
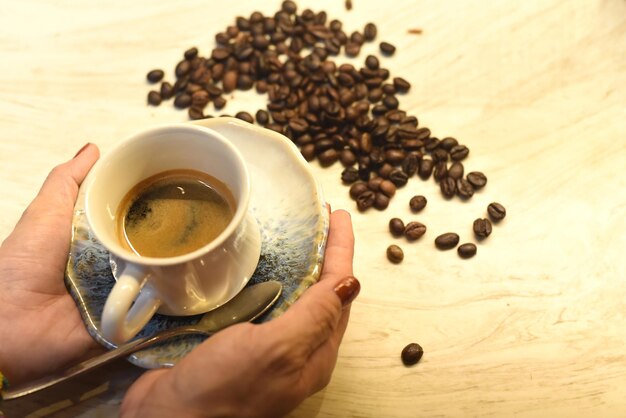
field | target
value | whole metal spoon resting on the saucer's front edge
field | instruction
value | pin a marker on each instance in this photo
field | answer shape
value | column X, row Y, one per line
column 249, row 304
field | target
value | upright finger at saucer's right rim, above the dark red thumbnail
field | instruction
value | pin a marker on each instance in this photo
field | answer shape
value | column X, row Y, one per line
column 339, row 248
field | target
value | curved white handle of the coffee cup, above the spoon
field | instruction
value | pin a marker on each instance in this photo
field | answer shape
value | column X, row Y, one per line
column 120, row 322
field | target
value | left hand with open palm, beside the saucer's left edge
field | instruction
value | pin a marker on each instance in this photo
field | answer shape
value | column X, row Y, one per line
column 40, row 328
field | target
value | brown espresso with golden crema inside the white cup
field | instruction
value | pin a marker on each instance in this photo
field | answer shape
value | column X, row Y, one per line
column 174, row 212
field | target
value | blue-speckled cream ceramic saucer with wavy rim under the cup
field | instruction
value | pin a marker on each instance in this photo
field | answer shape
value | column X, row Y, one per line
column 293, row 218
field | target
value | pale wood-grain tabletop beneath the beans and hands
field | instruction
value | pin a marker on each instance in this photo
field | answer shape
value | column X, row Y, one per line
column 533, row 326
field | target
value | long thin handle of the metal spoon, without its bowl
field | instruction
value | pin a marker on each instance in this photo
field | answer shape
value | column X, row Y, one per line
column 90, row 364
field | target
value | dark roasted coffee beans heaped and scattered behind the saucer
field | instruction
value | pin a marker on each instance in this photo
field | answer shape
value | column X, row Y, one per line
column 333, row 112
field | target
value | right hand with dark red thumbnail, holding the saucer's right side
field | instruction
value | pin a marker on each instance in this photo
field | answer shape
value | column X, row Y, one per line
column 264, row 370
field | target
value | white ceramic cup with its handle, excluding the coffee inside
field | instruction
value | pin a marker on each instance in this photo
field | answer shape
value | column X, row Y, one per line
column 188, row 284
